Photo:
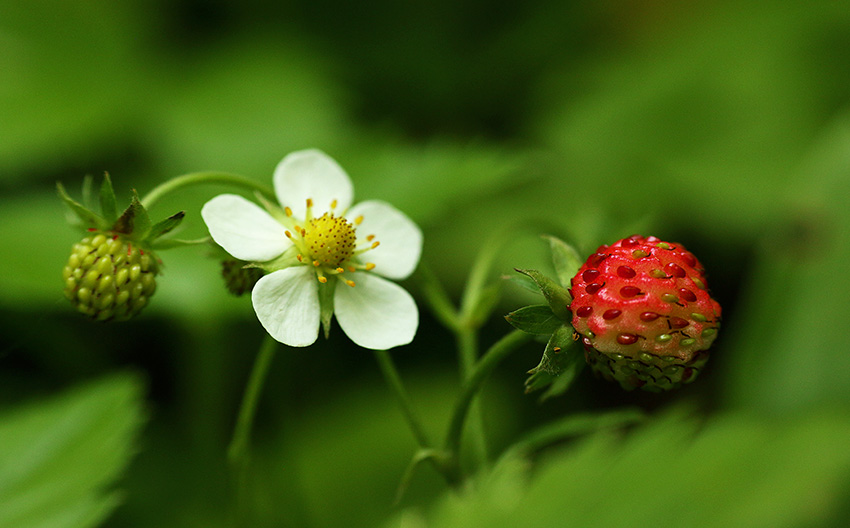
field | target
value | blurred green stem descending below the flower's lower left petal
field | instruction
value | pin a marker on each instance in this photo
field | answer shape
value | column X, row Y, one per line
column 238, row 453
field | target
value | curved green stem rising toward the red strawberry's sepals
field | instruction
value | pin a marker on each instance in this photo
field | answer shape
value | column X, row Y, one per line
column 485, row 366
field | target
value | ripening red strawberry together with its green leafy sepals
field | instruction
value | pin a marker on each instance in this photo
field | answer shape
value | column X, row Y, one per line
column 640, row 309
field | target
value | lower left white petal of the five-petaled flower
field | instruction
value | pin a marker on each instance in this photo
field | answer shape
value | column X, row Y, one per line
column 287, row 305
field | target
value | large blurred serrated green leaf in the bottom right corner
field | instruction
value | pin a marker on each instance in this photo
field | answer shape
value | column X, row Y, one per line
column 735, row 470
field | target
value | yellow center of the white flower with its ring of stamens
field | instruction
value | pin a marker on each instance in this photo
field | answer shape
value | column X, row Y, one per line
column 330, row 243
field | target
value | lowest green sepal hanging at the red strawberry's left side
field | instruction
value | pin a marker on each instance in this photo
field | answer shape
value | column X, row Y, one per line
column 562, row 361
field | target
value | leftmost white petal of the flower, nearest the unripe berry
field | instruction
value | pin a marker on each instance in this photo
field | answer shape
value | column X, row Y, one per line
column 244, row 229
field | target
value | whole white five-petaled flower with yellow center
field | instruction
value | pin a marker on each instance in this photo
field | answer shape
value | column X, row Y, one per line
column 324, row 256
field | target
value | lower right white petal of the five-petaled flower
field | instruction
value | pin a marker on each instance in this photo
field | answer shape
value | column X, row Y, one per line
column 376, row 313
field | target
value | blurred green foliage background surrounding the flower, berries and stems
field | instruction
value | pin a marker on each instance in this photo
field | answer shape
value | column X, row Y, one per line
column 722, row 125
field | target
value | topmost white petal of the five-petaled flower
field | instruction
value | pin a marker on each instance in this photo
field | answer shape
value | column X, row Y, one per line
column 311, row 174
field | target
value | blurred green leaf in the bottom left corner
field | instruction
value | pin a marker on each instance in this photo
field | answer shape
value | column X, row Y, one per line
column 60, row 457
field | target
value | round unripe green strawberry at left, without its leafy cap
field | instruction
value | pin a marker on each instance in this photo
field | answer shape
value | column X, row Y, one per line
column 108, row 278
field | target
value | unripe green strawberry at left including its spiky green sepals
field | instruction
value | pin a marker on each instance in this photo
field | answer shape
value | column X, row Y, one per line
column 111, row 273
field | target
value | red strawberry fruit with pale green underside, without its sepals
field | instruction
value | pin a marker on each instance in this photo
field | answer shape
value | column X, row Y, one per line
column 644, row 314
